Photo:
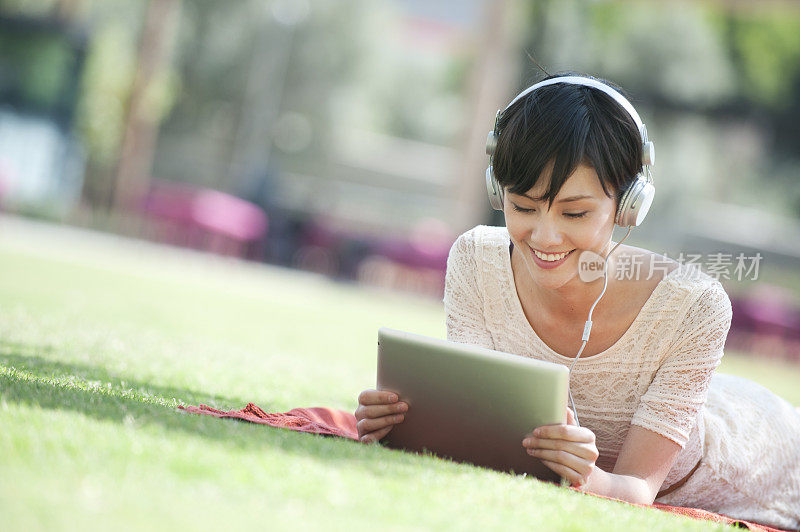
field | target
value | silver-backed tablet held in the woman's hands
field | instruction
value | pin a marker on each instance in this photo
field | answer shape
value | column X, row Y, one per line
column 469, row 403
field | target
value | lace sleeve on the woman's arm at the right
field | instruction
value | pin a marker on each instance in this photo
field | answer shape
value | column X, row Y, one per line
column 680, row 386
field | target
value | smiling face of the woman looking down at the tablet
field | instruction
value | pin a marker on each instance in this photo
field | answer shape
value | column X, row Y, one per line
column 581, row 218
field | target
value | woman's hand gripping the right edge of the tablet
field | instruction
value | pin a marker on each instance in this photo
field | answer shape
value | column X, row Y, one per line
column 567, row 449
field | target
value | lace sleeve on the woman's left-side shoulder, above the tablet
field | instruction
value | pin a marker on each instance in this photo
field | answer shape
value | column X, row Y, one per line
column 463, row 300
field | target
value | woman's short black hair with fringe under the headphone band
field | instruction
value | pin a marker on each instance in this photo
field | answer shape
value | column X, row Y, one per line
column 568, row 125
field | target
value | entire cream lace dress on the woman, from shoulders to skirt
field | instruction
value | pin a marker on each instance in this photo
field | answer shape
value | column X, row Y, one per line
column 659, row 375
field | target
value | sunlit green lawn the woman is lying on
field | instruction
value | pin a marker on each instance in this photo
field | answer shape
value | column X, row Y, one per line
column 100, row 340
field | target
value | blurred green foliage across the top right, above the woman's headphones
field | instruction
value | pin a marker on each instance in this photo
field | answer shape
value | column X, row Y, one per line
column 689, row 53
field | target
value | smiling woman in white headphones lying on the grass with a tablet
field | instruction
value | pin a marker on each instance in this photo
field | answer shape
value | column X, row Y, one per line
column 656, row 423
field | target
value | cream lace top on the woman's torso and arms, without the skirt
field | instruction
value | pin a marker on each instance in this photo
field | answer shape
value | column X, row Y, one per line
column 655, row 376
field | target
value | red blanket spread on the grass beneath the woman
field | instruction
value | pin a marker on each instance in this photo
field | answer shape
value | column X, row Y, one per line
column 329, row 421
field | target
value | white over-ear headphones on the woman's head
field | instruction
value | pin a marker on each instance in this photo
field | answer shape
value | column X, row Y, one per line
column 638, row 196
